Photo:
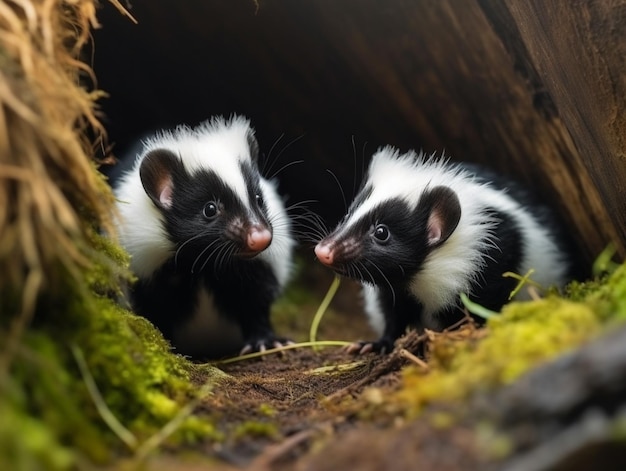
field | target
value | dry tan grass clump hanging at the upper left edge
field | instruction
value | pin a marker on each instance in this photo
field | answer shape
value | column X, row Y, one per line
column 50, row 196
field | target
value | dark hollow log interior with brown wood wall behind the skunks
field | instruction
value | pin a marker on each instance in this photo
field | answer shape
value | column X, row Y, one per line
column 536, row 90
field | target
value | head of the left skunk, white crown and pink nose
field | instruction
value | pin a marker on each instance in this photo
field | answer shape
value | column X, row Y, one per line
column 206, row 185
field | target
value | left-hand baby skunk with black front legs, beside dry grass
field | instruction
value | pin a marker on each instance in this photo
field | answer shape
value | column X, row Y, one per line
column 209, row 238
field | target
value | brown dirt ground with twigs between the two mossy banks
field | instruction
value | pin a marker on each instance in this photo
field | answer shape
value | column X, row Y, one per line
column 303, row 409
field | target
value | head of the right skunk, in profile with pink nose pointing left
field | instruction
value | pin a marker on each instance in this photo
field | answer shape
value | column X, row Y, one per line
column 397, row 219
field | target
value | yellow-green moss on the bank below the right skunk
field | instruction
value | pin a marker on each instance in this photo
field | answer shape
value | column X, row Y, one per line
column 523, row 335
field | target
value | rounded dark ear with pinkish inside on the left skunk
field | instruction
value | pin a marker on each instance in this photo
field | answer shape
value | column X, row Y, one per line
column 156, row 171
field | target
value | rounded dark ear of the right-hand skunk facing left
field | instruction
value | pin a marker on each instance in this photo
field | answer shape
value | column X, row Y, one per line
column 444, row 214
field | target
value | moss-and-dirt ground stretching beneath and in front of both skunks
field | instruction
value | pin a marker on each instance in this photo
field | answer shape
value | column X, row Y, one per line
column 108, row 390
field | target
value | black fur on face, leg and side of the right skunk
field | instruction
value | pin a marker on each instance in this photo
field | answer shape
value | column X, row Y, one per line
column 392, row 262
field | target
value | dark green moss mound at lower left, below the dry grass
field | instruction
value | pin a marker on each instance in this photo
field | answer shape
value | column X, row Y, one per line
column 142, row 383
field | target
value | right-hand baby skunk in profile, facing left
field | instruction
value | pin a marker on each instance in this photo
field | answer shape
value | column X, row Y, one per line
column 421, row 231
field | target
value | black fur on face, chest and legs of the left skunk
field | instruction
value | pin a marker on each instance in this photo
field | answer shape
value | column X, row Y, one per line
column 210, row 253
